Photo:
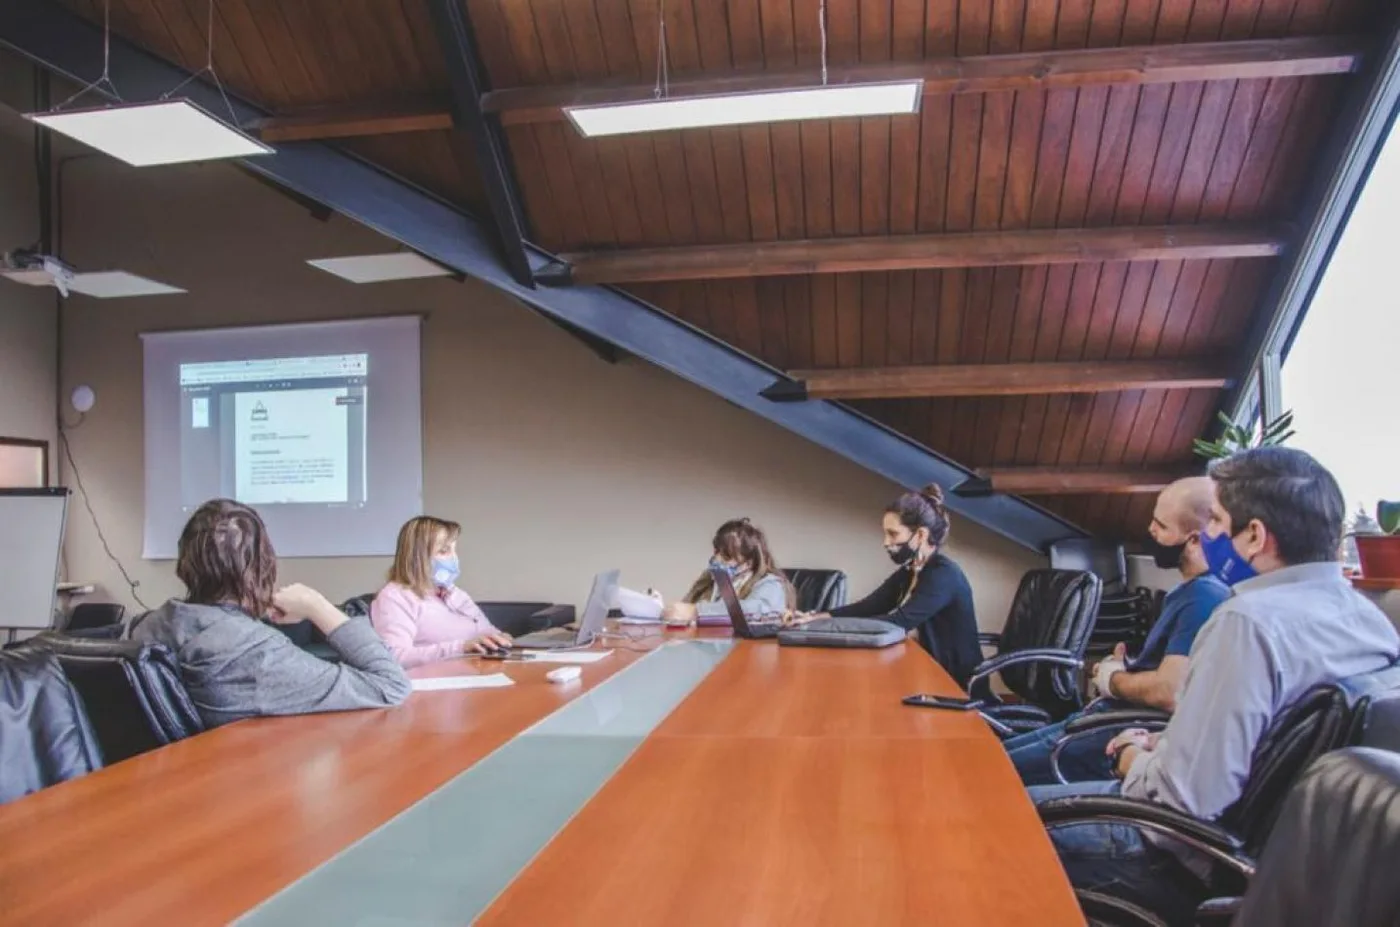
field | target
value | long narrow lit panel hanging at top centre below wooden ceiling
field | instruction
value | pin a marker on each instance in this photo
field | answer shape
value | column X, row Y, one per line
column 741, row 110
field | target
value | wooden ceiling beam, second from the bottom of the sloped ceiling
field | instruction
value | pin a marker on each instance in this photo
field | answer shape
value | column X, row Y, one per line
column 1000, row 380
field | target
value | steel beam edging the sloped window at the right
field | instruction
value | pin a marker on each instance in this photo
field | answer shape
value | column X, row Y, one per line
column 1363, row 128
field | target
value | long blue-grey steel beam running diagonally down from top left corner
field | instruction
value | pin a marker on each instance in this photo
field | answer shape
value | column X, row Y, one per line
column 69, row 46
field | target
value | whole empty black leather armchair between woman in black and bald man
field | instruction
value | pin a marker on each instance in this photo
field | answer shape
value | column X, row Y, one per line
column 1039, row 652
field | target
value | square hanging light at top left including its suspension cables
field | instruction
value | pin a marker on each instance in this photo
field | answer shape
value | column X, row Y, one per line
column 162, row 132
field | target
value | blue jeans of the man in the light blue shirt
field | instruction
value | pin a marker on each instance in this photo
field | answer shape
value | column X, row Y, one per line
column 1115, row 859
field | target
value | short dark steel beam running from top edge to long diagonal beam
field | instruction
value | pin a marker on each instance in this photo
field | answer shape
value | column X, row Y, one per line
column 467, row 76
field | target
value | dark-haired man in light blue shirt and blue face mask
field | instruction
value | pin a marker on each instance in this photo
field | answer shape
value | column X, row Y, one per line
column 1294, row 622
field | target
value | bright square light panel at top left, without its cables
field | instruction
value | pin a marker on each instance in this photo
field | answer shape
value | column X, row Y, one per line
column 171, row 132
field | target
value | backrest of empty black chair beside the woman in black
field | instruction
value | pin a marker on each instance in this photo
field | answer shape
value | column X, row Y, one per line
column 1052, row 608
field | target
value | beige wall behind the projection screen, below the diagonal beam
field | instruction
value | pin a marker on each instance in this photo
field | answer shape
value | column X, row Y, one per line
column 556, row 463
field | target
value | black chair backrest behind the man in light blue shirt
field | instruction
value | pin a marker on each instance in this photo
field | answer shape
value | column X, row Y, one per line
column 1325, row 719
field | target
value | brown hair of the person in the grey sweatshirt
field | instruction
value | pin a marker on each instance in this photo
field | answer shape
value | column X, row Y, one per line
column 226, row 558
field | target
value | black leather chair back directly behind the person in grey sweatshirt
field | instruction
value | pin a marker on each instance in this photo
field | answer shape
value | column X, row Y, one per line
column 132, row 692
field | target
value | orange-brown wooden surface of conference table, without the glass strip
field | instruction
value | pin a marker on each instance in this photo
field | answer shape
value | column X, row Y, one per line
column 790, row 786
